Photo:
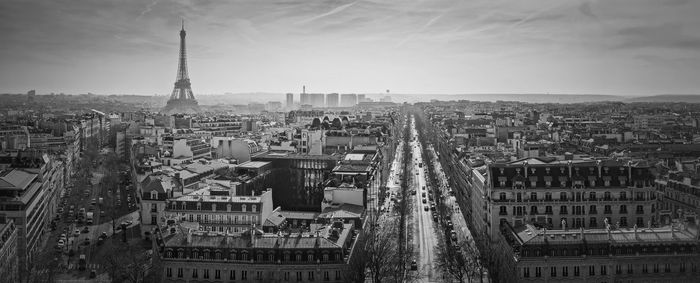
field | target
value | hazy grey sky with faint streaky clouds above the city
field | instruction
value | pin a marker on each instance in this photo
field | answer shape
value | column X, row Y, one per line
column 626, row 47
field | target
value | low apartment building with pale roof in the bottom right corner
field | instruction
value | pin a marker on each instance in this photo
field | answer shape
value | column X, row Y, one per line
column 610, row 254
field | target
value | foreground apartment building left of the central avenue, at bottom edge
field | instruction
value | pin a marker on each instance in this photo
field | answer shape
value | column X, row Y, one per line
column 198, row 256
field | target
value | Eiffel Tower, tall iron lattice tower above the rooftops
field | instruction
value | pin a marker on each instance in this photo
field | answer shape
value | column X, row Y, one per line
column 182, row 99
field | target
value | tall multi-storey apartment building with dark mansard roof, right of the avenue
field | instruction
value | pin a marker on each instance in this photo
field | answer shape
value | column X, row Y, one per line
column 563, row 194
